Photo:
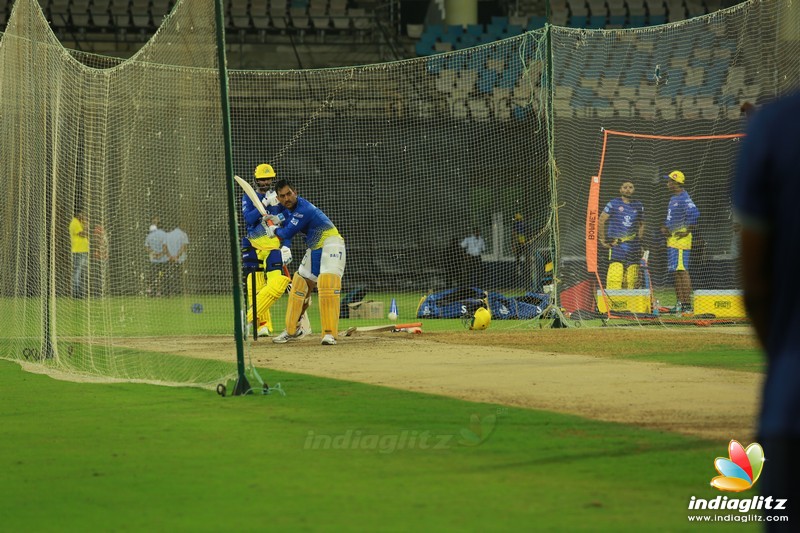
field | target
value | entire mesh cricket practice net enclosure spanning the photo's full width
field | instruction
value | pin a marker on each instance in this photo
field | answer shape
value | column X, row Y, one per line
column 412, row 161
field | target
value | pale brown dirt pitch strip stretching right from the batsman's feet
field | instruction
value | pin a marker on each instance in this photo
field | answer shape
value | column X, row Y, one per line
column 510, row 368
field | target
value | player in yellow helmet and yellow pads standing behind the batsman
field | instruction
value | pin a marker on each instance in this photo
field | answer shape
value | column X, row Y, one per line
column 270, row 285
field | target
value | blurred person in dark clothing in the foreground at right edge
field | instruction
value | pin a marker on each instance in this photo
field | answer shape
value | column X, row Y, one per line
column 765, row 193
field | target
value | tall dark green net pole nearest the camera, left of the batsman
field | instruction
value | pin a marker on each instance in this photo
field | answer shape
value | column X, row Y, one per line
column 242, row 386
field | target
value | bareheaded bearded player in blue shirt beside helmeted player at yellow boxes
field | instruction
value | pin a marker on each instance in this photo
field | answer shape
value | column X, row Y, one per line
column 621, row 227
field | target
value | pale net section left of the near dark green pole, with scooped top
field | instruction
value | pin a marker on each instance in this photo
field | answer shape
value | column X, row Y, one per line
column 131, row 144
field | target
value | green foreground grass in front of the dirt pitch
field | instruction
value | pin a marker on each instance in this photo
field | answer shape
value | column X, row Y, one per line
column 330, row 455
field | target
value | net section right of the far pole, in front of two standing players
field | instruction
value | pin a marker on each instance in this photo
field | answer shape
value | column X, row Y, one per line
column 634, row 105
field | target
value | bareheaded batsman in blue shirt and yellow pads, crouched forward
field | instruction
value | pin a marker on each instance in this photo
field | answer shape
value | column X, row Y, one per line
column 322, row 266
